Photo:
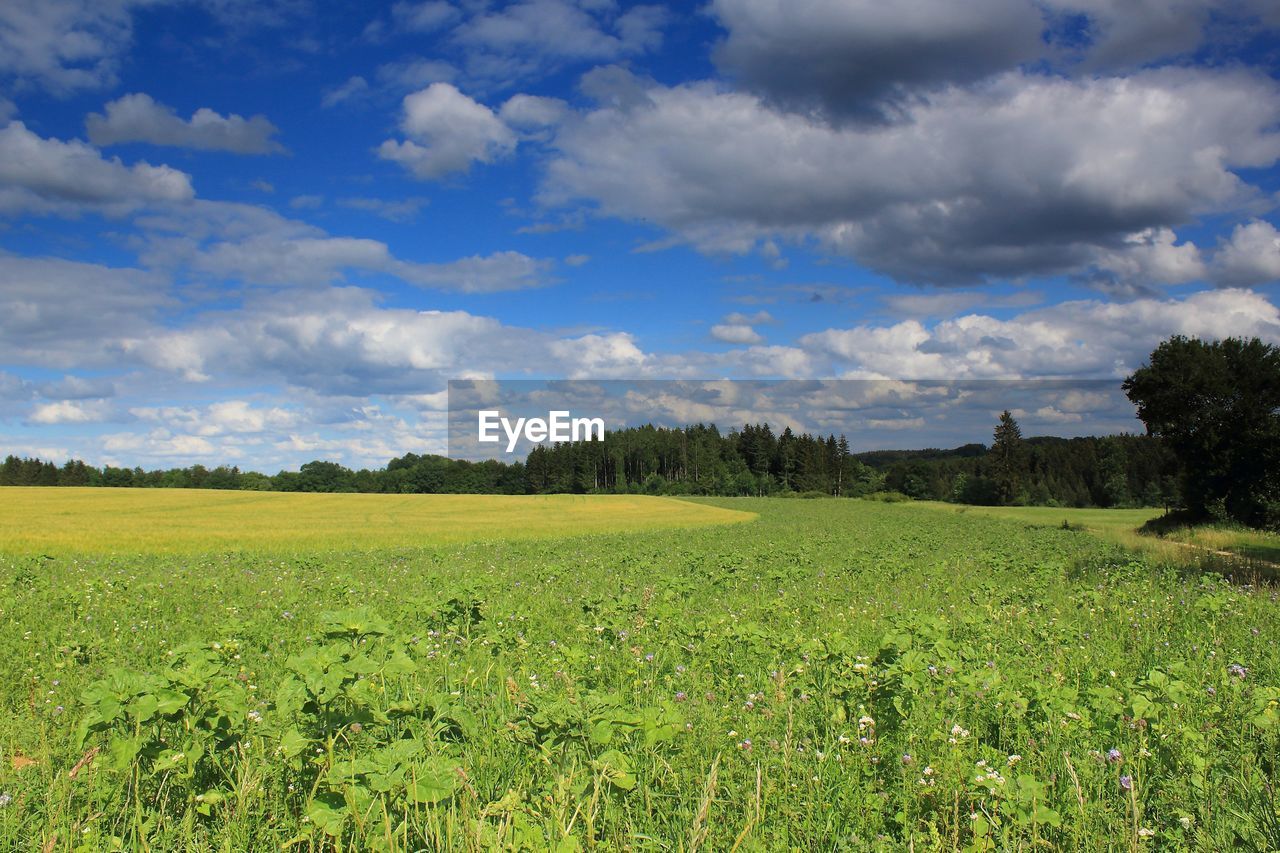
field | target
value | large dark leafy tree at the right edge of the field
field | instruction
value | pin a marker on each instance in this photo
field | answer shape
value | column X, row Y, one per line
column 1218, row 408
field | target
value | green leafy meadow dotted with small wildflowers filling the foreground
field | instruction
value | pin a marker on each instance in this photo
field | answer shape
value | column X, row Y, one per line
column 833, row 676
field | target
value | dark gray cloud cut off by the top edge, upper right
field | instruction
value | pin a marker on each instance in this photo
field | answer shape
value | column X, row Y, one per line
column 867, row 60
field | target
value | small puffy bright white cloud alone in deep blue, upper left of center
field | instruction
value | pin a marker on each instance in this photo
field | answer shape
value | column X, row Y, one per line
column 447, row 133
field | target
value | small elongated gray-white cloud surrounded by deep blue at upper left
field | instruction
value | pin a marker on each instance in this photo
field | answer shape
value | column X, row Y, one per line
column 139, row 118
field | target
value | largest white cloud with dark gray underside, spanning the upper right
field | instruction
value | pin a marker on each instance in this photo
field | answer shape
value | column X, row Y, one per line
column 1021, row 176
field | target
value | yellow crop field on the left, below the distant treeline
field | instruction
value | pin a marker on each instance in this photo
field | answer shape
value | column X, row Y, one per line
column 57, row 521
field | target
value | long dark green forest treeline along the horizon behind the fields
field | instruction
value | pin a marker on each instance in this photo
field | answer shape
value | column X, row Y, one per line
column 1109, row 472
